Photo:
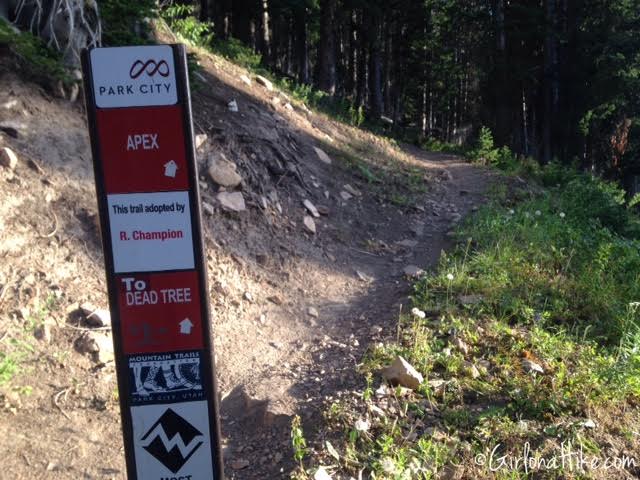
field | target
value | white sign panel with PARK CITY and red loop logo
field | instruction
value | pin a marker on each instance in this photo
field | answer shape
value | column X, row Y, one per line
column 134, row 76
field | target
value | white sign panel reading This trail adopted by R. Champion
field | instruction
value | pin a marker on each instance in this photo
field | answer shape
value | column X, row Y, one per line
column 150, row 231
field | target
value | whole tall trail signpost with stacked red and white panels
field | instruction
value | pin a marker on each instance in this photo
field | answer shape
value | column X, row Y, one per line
column 139, row 113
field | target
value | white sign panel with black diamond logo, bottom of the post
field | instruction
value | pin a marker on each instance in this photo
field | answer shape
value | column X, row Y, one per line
column 172, row 441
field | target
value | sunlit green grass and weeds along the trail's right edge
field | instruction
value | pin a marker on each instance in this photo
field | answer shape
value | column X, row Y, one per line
column 555, row 276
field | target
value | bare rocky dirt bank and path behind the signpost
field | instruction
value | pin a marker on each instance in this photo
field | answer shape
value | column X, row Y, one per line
column 275, row 356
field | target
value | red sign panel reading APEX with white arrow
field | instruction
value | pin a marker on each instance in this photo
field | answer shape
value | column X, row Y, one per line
column 143, row 149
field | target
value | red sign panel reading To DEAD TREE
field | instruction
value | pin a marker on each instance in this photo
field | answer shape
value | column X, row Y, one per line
column 160, row 312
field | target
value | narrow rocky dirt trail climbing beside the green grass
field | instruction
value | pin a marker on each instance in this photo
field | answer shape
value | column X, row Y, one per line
column 355, row 308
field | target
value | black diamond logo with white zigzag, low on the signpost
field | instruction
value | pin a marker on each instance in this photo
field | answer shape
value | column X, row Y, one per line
column 172, row 440
